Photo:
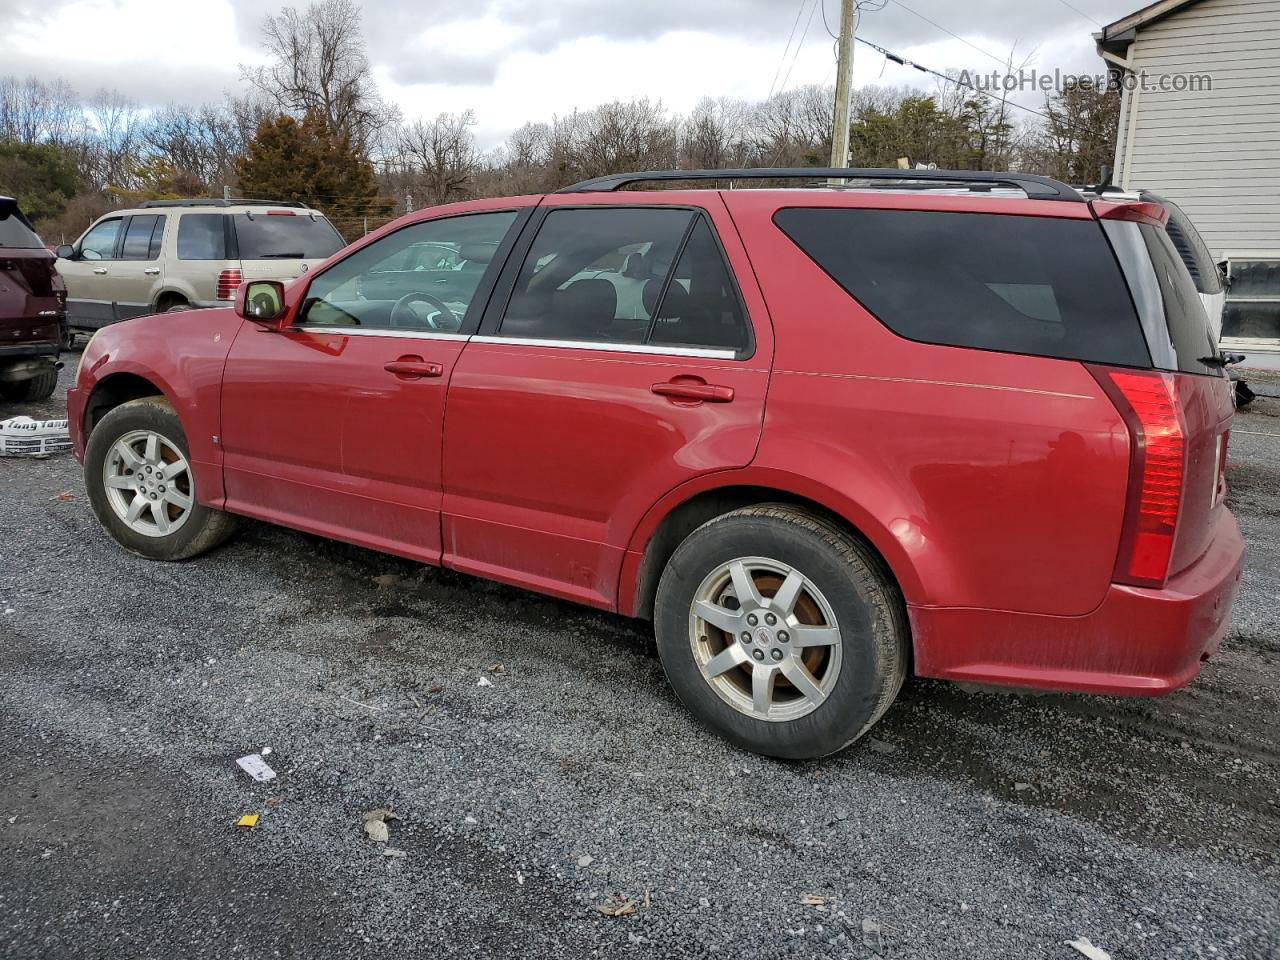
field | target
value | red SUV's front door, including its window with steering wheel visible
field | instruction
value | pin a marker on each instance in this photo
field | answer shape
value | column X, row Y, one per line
column 335, row 423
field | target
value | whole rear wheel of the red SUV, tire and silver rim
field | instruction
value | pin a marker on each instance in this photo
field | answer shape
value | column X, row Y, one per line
column 783, row 632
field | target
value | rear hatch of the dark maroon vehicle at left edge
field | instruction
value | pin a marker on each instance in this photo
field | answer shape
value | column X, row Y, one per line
column 33, row 295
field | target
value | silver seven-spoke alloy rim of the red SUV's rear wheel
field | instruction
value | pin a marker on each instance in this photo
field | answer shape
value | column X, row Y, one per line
column 765, row 639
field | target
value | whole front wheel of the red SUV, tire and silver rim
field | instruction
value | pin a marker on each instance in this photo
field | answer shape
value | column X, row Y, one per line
column 138, row 472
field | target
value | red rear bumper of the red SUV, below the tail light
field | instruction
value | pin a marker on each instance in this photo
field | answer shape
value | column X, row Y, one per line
column 1137, row 642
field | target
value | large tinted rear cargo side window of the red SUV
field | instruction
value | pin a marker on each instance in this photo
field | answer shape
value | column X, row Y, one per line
column 1020, row 285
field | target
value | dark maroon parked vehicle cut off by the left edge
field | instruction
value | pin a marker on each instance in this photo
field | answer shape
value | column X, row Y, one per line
column 33, row 310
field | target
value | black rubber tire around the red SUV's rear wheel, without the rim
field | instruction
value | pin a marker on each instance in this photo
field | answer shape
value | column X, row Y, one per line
column 861, row 592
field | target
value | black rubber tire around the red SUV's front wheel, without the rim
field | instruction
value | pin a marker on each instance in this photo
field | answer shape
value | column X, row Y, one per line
column 203, row 531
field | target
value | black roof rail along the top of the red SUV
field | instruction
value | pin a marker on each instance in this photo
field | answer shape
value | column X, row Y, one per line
column 1035, row 188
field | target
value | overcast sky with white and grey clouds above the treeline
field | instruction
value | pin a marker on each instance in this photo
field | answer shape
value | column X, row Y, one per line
column 516, row 61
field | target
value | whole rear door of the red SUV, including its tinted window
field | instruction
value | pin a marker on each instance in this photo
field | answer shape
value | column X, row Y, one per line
column 565, row 432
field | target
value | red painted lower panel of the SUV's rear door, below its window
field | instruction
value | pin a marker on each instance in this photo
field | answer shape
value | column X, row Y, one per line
column 554, row 455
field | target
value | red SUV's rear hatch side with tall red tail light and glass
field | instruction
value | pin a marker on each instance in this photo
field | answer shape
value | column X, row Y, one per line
column 1180, row 414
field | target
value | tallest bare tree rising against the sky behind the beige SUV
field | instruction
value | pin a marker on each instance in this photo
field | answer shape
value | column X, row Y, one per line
column 319, row 63
